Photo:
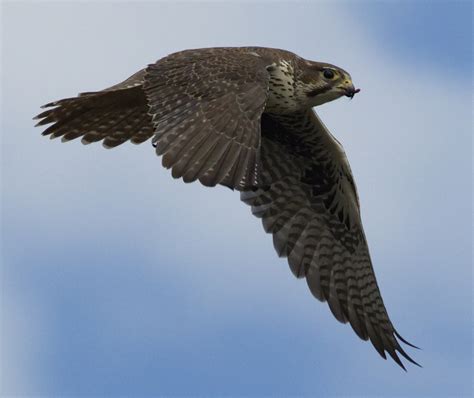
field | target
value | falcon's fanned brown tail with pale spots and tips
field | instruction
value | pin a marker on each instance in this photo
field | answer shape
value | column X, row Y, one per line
column 114, row 115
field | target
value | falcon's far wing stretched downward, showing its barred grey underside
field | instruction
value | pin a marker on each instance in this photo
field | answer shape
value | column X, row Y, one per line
column 310, row 205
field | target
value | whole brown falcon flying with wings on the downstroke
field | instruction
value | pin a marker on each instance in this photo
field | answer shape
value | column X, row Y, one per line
column 243, row 117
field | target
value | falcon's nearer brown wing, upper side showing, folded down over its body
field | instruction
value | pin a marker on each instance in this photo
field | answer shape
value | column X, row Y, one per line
column 206, row 106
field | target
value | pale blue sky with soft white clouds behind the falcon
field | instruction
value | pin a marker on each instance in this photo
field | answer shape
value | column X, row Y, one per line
column 118, row 280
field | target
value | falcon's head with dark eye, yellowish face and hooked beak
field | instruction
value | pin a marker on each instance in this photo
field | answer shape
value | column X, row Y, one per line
column 321, row 83
